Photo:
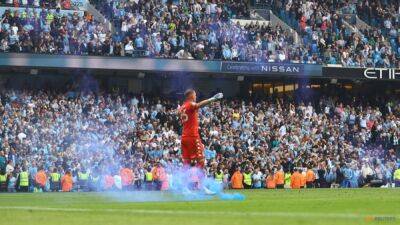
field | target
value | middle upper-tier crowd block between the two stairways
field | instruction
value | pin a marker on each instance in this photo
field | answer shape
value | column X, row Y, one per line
column 196, row 30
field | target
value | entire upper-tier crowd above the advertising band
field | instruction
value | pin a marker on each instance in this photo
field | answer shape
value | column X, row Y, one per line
column 204, row 30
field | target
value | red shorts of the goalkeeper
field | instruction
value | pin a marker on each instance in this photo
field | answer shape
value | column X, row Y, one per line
column 192, row 149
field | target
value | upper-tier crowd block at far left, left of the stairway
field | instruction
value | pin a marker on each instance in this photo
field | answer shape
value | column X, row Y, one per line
column 53, row 32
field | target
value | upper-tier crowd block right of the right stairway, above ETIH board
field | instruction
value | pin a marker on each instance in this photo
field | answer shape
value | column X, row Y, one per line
column 322, row 27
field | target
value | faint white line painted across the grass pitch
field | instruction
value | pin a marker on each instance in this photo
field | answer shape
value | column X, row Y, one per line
column 199, row 213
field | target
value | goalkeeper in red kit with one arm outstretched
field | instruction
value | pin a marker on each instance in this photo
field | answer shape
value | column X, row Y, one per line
column 192, row 147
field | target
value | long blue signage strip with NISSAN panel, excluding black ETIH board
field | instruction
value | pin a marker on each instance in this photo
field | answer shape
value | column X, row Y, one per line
column 11, row 60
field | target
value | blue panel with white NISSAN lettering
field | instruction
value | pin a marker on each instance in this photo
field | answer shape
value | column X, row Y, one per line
column 262, row 68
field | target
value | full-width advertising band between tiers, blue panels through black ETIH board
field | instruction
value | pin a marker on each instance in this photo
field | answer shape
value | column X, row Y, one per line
column 110, row 65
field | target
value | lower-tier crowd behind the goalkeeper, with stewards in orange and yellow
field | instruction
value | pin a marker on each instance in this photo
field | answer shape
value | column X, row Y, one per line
column 81, row 141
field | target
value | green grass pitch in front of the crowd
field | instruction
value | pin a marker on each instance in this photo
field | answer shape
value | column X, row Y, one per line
column 329, row 206
